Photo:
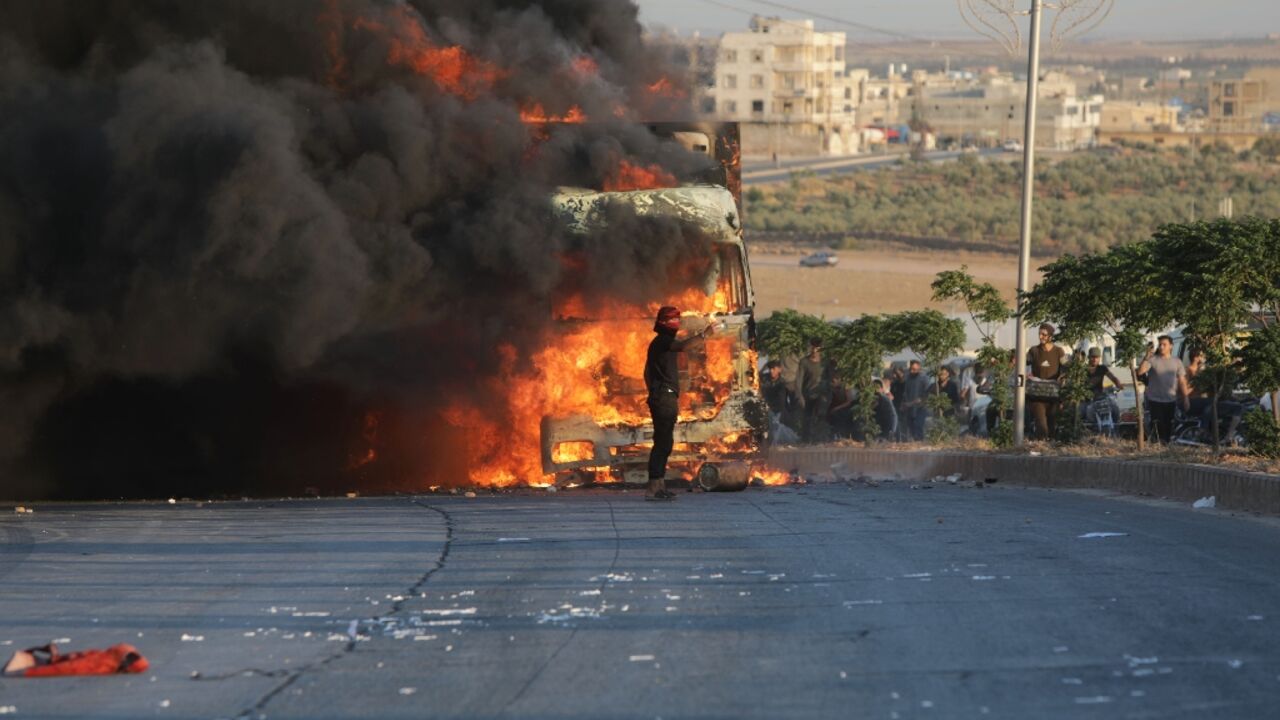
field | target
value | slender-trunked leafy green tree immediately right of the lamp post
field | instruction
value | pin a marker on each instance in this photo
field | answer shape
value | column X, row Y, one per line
column 1112, row 294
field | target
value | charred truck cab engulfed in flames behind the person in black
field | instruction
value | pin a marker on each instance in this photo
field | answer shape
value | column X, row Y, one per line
column 721, row 413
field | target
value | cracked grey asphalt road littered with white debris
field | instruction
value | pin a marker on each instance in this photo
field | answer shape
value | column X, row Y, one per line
column 816, row 601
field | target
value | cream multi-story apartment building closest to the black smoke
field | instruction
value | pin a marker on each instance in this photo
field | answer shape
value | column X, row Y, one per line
column 787, row 84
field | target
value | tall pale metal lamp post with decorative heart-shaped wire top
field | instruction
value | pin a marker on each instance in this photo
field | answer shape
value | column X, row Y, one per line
column 998, row 20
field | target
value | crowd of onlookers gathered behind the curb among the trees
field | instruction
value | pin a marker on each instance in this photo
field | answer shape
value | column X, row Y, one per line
column 819, row 405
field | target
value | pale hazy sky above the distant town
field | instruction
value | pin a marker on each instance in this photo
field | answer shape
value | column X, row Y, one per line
column 1149, row 20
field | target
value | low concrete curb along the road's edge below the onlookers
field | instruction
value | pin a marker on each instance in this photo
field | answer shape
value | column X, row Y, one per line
column 1235, row 490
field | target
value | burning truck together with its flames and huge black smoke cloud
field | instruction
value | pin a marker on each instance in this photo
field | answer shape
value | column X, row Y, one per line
column 252, row 262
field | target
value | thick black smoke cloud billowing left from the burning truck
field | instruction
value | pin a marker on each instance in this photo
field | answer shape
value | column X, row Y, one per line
column 227, row 230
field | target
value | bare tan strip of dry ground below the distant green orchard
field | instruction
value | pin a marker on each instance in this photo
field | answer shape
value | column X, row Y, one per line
column 868, row 281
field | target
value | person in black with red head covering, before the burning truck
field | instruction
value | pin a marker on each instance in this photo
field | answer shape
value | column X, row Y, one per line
column 662, row 380
